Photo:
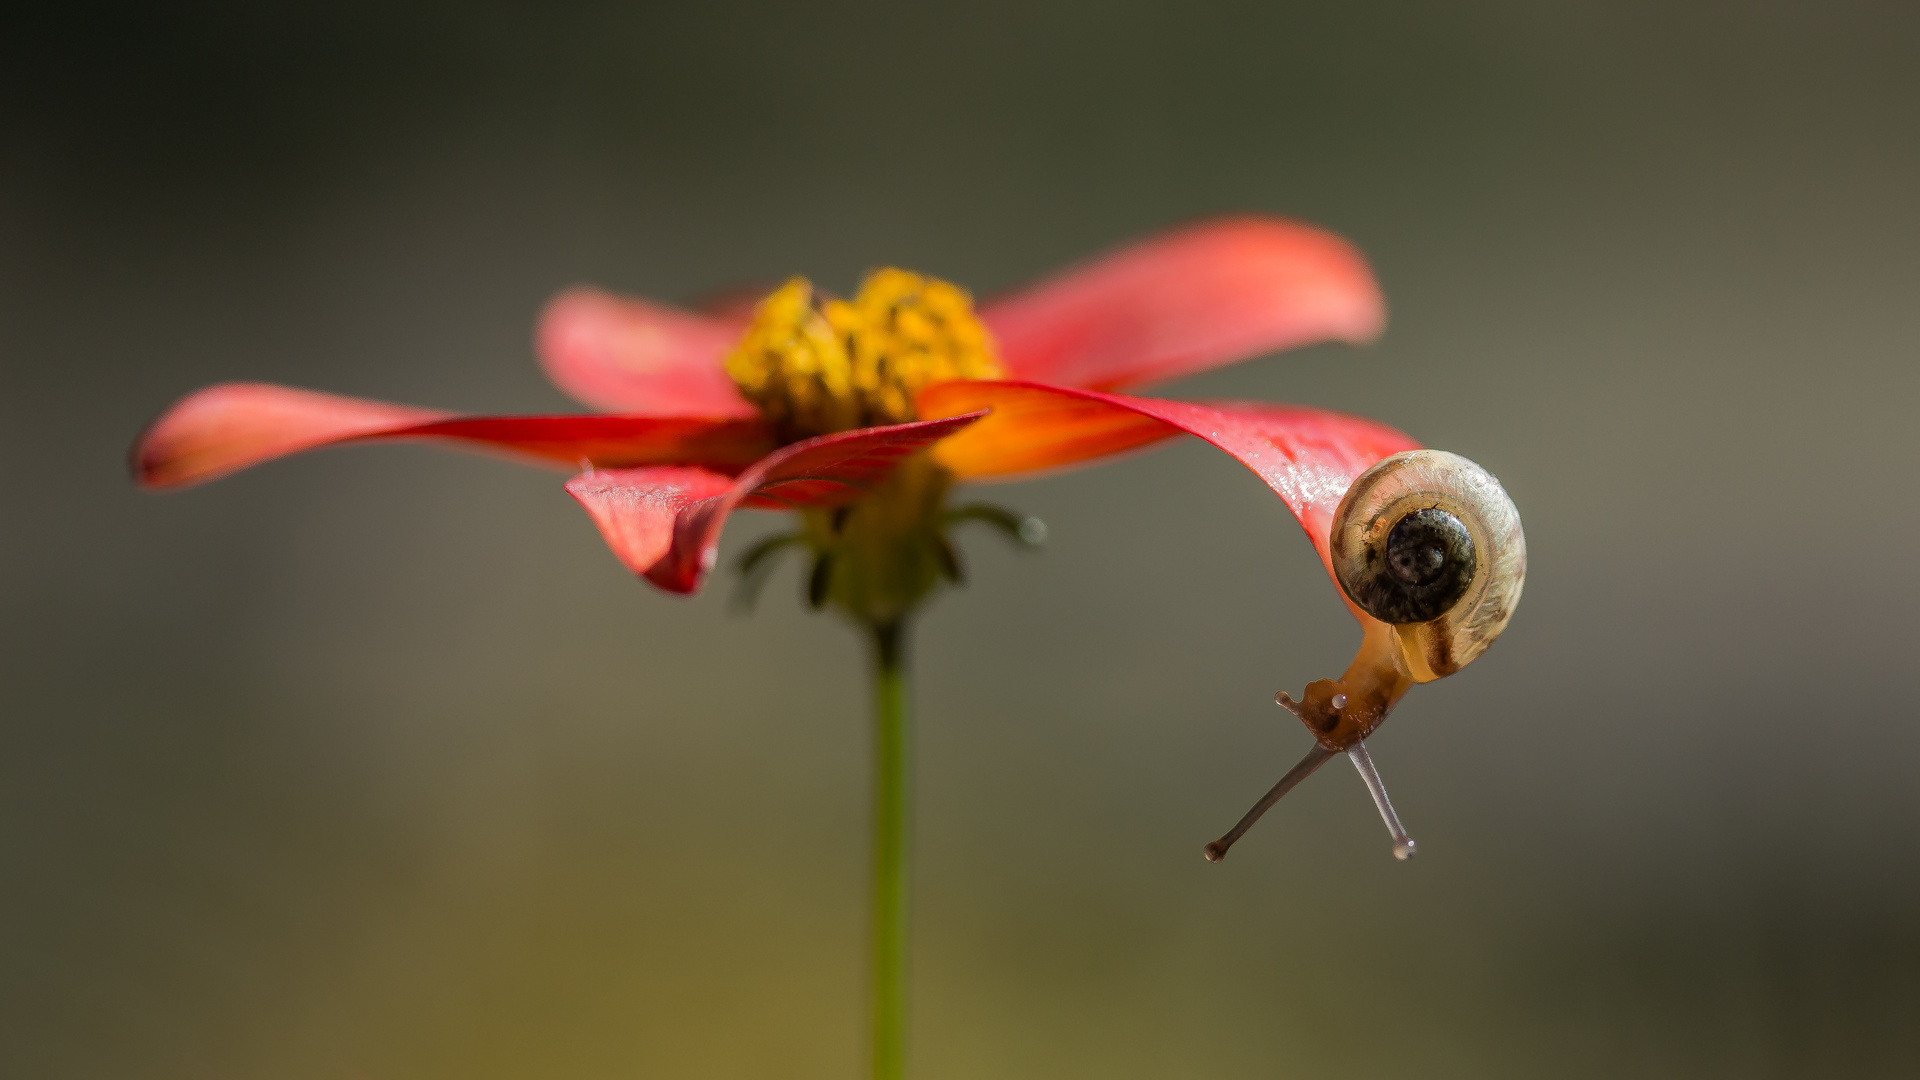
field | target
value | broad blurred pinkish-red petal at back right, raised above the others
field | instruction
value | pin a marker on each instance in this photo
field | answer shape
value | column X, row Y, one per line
column 1188, row 301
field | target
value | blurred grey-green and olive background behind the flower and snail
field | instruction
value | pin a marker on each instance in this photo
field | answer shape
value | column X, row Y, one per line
column 375, row 764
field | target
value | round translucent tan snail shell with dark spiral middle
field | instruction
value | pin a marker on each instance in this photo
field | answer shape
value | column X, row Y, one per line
column 1431, row 545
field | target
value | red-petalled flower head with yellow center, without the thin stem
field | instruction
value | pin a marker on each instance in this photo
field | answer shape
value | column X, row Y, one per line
column 827, row 408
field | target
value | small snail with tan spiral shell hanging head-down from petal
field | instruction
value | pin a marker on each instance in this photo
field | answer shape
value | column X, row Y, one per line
column 1429, row 547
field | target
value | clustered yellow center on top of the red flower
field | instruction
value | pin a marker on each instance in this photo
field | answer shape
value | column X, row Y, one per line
column 838, row 366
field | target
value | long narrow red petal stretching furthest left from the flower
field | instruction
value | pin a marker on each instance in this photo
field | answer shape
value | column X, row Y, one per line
column 229, row 428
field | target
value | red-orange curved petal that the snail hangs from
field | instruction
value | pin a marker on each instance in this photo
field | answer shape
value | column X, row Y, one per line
column 1308, row 456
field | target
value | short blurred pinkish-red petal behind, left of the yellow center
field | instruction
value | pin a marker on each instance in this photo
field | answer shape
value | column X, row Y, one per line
column 631, row 356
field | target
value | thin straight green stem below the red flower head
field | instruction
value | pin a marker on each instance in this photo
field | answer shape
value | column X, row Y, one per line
column 892, row 850
